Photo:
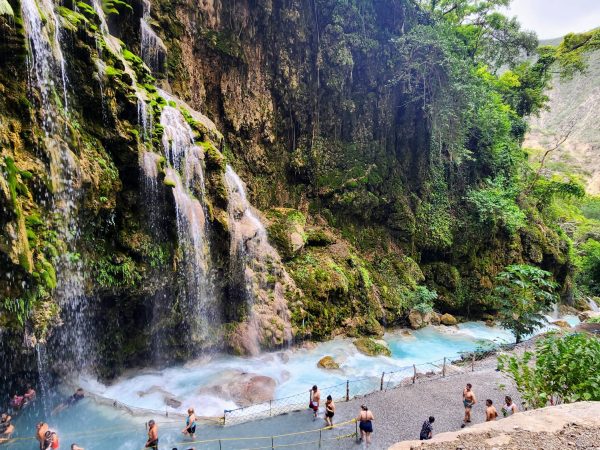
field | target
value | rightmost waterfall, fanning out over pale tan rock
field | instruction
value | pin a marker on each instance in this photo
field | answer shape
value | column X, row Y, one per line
column 252, row 258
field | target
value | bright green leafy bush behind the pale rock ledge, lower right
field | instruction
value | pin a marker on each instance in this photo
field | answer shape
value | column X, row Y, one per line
column 563, row 369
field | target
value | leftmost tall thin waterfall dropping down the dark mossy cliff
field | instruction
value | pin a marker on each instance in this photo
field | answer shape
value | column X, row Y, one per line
column 45, row 62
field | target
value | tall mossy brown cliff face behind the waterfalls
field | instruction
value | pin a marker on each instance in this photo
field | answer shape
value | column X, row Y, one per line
column 362, row 208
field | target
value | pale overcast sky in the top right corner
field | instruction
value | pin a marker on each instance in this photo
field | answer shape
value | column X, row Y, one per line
column 555, row 18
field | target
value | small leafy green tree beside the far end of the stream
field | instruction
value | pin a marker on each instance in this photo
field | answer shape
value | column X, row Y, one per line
column 523, row 293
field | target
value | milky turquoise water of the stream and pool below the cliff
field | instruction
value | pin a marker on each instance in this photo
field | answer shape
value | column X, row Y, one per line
column 97, row 427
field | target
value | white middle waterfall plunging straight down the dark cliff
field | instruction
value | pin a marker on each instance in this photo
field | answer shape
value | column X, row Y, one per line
column 184, row 173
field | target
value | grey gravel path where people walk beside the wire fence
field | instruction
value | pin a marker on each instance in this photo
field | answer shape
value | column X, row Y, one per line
column 399, row 413
